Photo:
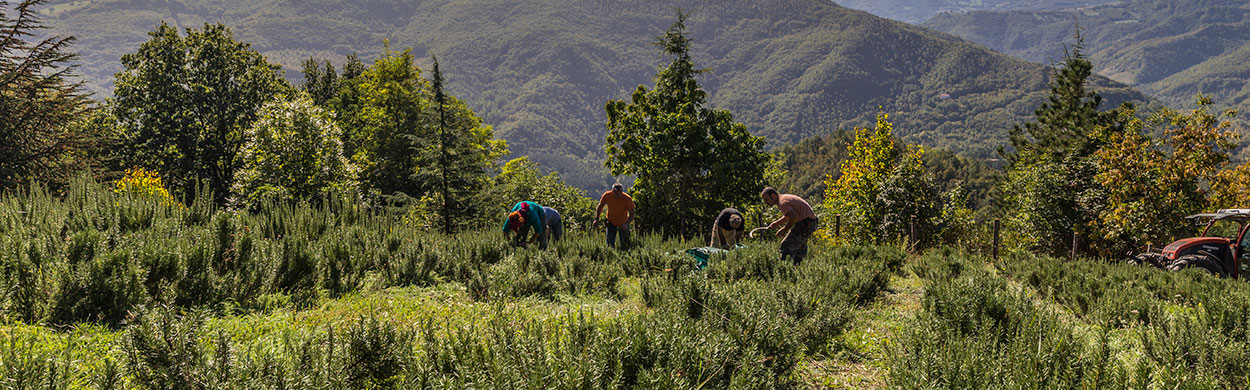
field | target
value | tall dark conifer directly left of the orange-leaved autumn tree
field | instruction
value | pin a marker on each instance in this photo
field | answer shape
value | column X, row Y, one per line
column 1051, row 192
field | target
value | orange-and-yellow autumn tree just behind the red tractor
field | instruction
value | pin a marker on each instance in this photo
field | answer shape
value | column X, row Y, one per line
column 1153, row 184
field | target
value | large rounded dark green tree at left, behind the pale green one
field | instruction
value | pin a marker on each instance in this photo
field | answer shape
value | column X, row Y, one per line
column 184, row 103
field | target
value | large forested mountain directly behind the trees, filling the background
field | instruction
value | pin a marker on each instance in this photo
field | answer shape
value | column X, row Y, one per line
column 541, row 72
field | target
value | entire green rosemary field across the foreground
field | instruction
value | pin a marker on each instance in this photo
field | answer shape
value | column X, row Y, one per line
column 104, row 291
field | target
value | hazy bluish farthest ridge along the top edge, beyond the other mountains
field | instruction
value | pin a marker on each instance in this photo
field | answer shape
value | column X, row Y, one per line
column 917, row 12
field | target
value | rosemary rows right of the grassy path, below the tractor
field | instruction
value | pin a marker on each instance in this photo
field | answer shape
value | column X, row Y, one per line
column 1044, row 323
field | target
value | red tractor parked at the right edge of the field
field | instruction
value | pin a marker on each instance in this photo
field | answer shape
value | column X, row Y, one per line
column 1221, row 249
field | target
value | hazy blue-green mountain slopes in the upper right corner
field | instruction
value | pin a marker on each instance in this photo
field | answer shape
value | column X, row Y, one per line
column 1172, row 49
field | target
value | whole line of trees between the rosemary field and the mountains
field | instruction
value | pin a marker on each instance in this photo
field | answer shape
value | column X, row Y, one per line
column 211, row 114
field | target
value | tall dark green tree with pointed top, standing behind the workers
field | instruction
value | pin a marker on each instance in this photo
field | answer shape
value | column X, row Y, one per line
column 689, row 161
